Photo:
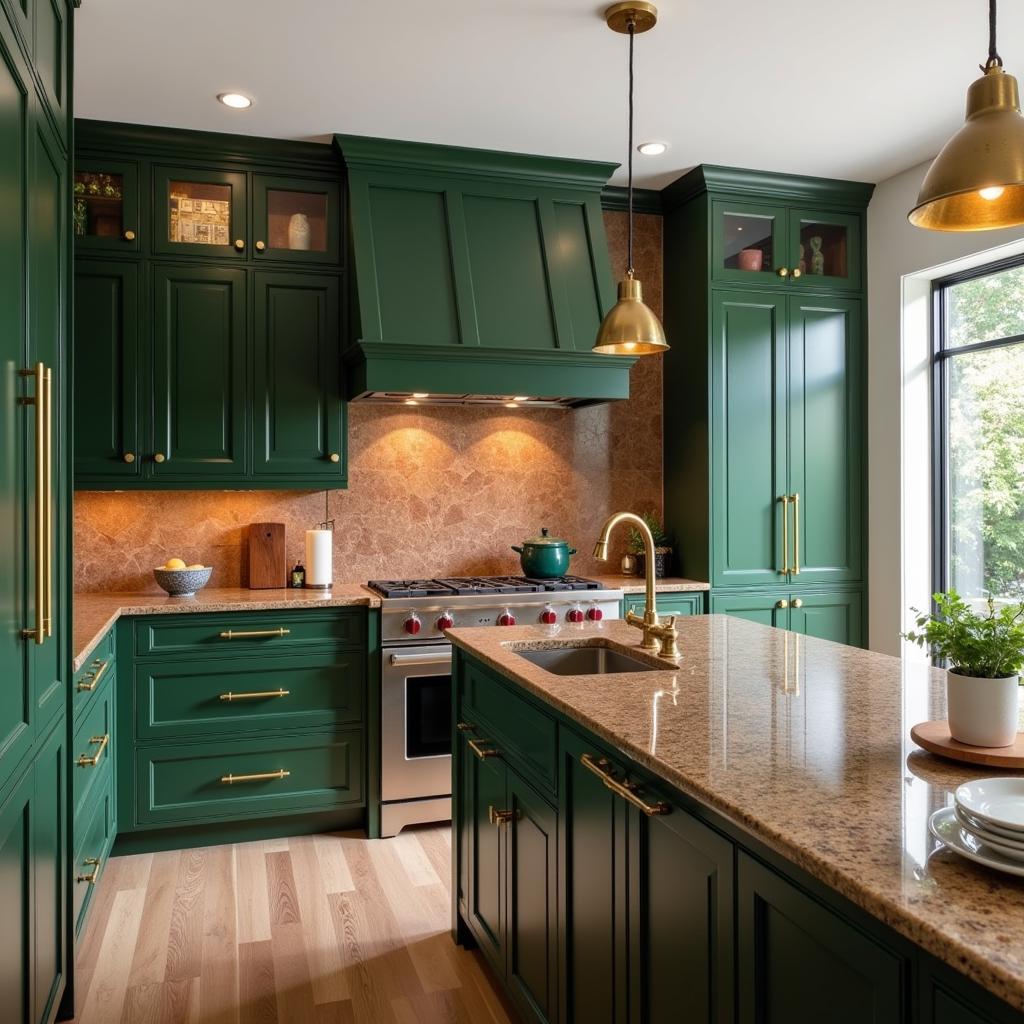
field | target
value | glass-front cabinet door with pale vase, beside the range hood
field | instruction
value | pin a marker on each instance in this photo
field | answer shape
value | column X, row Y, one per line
column 296, row 221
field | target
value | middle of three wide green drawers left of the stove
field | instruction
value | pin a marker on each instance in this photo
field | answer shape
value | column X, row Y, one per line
column 176, row 699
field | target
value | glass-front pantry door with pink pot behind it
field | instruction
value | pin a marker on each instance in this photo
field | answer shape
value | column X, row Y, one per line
column 748, row 242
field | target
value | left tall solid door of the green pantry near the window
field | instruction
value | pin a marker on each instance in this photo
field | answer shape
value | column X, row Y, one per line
column 749, row 432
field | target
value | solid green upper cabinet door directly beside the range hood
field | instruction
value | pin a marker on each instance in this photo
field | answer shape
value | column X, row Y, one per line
column 298, row 413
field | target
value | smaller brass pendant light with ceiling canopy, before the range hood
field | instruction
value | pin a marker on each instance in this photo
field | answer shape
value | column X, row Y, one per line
column 631, row 327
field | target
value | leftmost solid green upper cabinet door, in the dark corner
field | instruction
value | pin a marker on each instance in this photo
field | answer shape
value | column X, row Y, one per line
column 108, row 372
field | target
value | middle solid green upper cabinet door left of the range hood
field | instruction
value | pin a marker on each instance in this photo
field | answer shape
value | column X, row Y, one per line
column 199, row 374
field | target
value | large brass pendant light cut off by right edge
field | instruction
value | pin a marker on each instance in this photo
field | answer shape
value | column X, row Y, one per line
column 977, row 181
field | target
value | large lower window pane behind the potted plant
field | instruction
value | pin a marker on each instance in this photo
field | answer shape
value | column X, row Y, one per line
column 986, row 424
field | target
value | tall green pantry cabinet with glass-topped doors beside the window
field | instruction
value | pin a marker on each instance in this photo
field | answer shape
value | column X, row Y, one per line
column 764, row 387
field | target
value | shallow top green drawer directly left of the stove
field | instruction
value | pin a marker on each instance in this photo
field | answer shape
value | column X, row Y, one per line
column 249, row 633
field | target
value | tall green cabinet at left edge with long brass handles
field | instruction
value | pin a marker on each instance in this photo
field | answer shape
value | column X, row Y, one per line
column 35, row 641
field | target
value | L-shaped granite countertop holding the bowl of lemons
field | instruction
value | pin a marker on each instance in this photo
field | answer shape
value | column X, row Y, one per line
column 96, row 614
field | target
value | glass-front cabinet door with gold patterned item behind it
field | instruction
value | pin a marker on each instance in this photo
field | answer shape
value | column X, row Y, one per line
column 200, row 214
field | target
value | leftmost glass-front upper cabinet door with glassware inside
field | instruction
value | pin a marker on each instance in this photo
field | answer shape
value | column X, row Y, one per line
column 106, row 206
